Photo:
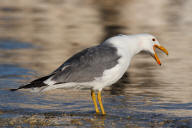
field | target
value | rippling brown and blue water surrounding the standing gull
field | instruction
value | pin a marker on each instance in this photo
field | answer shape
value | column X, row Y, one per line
column 36, row 36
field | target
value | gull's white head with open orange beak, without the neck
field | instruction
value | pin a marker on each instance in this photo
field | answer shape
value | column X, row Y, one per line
column 149, row 43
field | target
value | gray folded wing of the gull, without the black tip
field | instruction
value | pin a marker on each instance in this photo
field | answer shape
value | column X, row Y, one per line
column 87, row 64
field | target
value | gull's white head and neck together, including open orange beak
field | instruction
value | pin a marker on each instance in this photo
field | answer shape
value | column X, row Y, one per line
column 133, row 44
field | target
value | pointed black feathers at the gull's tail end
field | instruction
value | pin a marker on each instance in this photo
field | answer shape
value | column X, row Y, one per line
column 34, row 84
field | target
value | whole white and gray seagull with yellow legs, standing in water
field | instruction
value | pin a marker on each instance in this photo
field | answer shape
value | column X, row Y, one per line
column 98, row 66
